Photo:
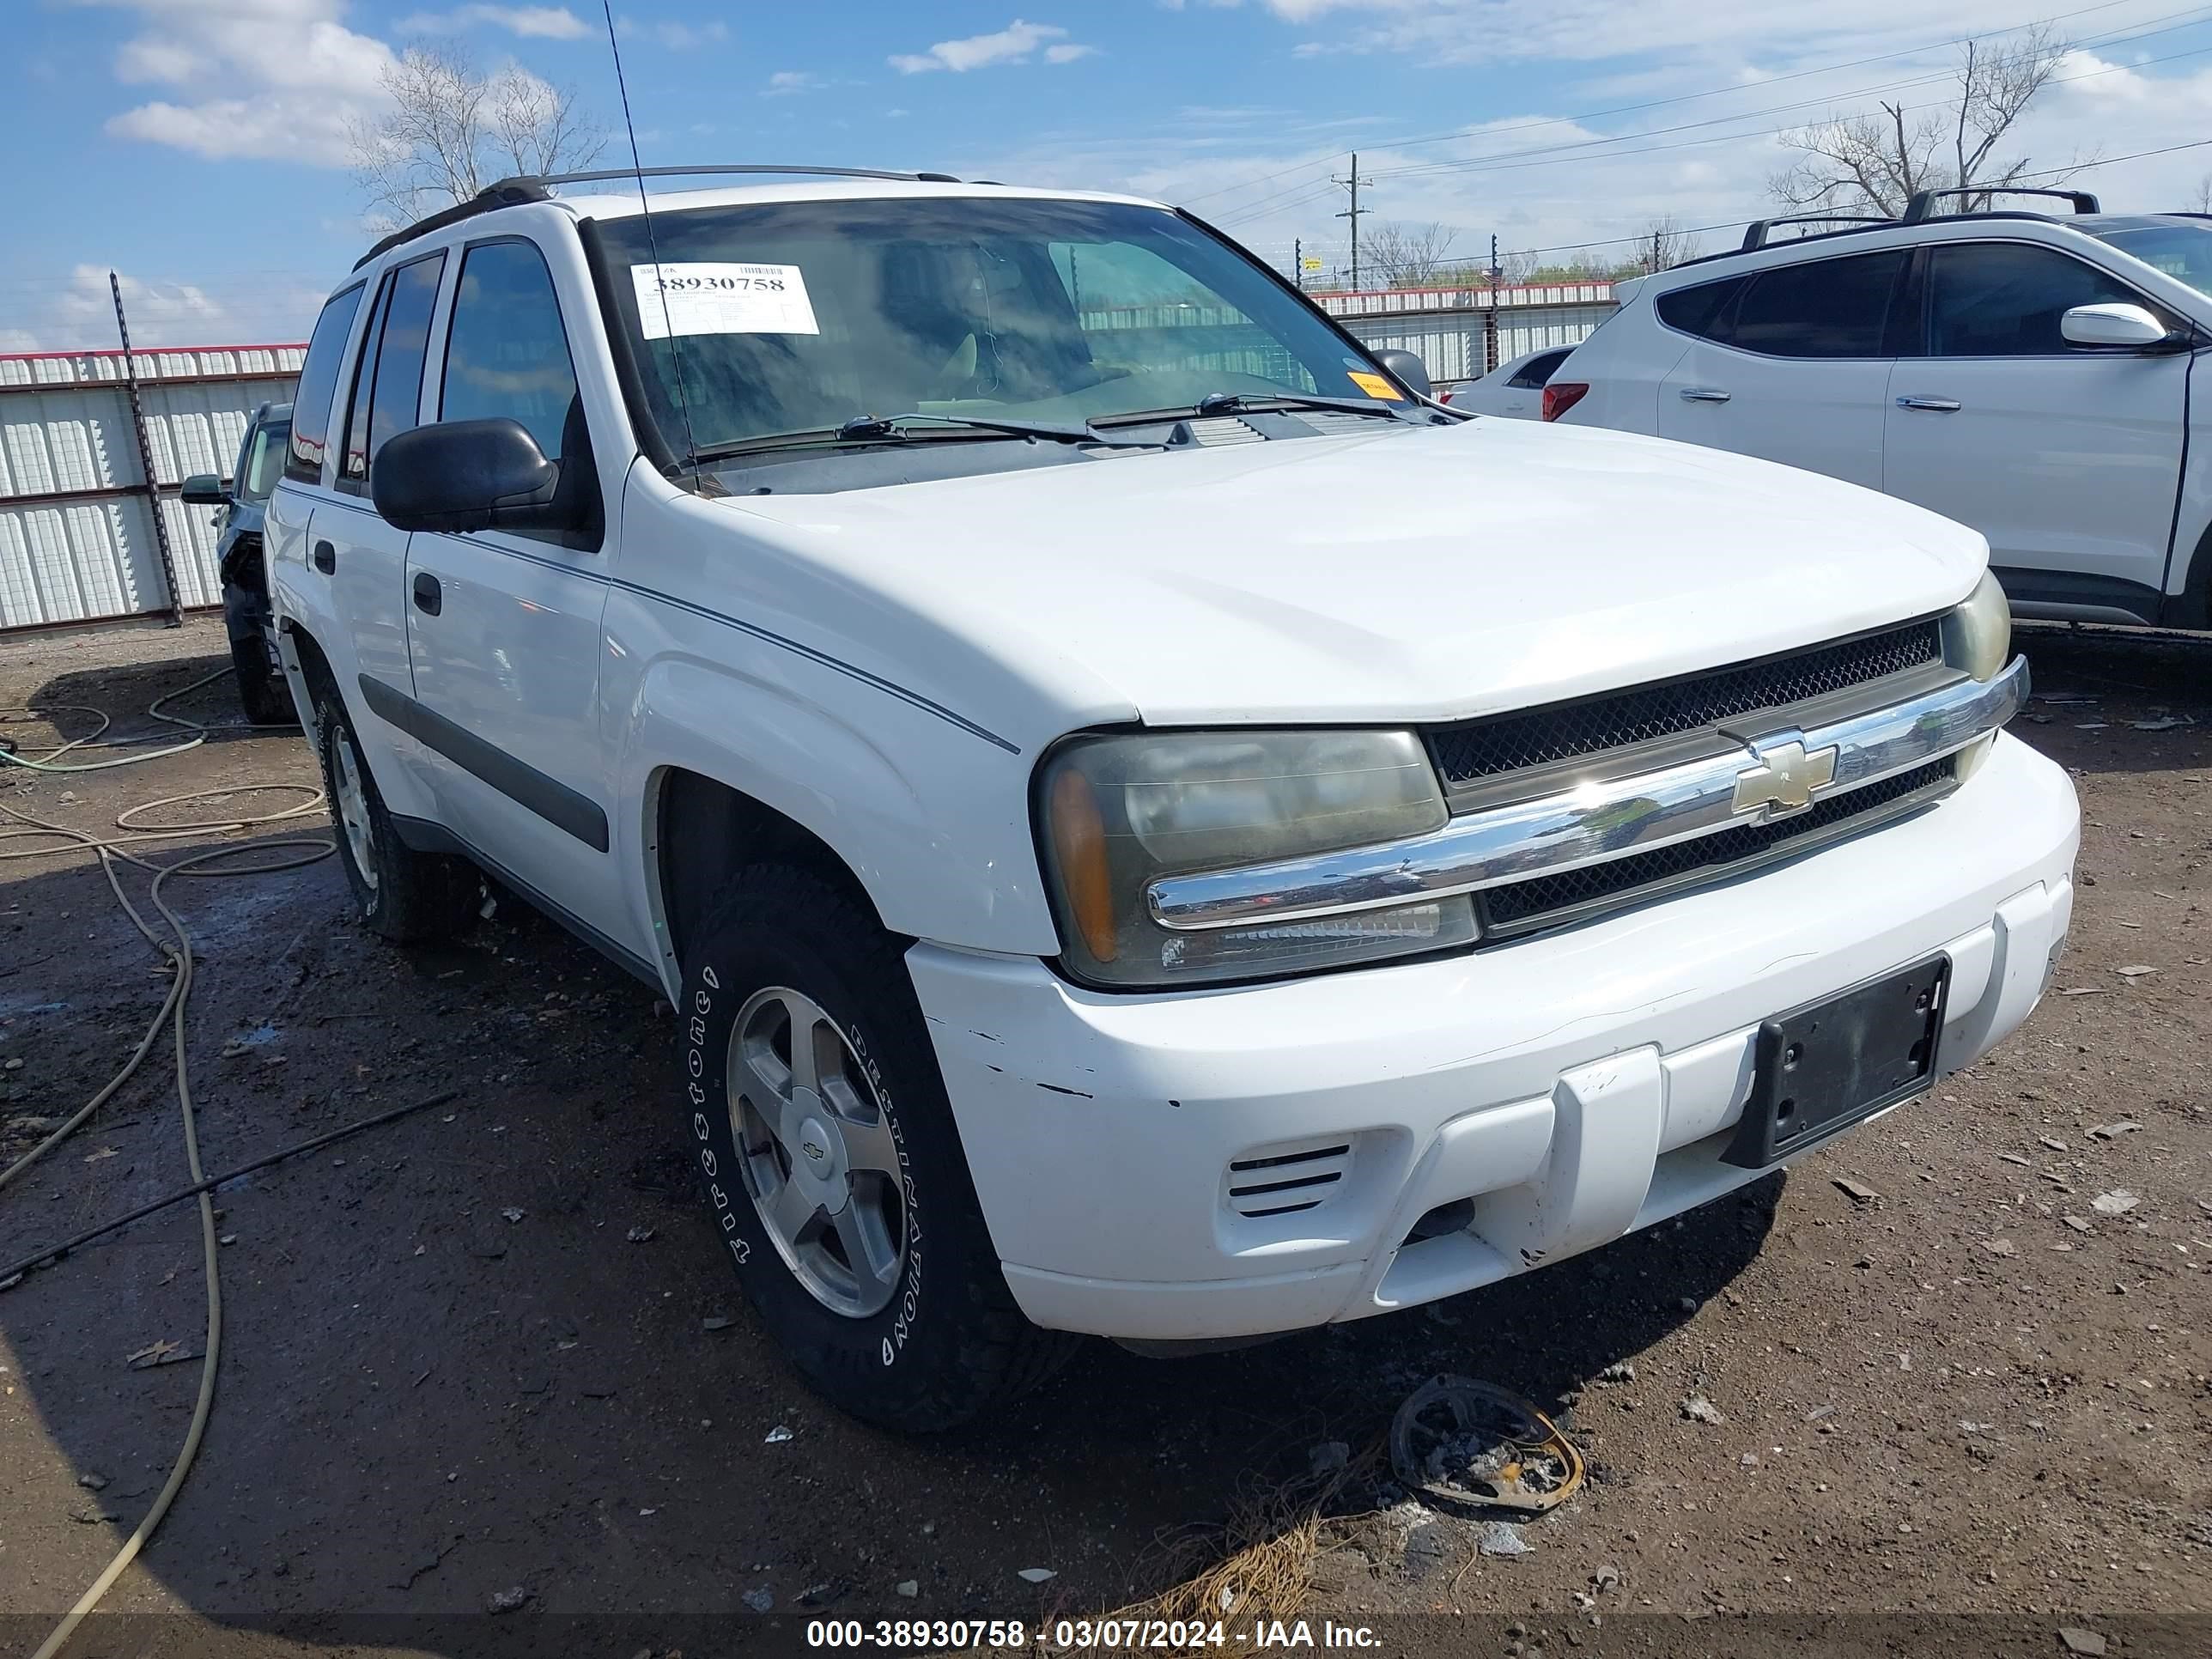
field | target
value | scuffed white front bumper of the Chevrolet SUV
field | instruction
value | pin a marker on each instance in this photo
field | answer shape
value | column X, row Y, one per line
column 1574, row 1087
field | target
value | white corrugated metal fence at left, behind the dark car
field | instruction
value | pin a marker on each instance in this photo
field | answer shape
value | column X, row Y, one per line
column 76, row 517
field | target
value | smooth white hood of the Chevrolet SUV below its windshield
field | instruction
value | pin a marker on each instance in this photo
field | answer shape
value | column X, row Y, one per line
column 1401, row 576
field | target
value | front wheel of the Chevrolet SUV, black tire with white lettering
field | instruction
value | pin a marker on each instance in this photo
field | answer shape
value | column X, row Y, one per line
column 921, row 1344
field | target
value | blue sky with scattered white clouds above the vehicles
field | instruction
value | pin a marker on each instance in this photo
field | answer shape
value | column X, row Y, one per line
column 200, row 147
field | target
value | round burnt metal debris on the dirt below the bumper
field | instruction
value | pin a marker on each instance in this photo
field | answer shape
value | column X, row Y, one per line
column 1472, row 1446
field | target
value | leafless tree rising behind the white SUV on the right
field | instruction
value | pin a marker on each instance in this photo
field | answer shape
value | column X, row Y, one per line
column 1877, row 163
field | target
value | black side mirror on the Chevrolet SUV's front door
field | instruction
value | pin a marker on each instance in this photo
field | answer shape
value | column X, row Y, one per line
column 468, row 477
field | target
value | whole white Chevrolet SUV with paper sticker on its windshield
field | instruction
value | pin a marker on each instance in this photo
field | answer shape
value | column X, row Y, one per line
column 1123, row 853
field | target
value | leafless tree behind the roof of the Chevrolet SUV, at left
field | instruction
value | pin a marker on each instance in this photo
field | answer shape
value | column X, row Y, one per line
column 450, row 129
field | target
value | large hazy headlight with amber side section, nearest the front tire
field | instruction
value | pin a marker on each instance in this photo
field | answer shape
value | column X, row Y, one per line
column 1118, row 813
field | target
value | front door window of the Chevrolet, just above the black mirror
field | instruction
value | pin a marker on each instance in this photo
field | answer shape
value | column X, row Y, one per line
column 508, row 353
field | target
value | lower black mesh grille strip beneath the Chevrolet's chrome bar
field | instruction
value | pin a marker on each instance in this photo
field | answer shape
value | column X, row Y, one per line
column 1547, row 901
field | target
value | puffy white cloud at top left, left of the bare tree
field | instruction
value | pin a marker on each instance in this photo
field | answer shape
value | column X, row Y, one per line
column 289, row 76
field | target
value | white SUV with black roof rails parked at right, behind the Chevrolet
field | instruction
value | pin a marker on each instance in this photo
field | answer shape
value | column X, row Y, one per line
column 2025, row 375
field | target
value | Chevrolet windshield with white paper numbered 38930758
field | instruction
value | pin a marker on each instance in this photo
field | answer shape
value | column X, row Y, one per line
column 802, row 315
